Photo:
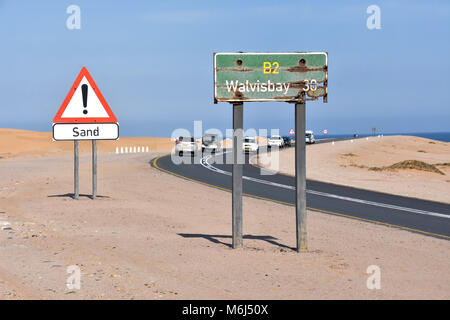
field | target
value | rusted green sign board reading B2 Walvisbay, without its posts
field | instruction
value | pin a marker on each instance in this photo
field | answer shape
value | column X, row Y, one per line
column 290, row 77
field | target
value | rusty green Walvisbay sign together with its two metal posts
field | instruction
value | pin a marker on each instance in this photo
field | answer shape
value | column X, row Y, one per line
column 254, row 77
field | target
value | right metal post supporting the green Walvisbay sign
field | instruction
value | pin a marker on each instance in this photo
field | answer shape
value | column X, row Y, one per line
column 300, row 177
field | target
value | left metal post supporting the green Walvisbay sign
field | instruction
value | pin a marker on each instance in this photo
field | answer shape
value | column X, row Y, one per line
column 238, row 118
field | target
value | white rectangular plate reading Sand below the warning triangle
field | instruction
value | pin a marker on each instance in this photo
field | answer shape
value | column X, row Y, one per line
column 85, row 131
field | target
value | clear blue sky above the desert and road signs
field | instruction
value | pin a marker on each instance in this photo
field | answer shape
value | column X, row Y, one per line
column 152, row 60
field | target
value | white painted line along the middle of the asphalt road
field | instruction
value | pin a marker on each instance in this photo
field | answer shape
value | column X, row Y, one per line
column 204, row 162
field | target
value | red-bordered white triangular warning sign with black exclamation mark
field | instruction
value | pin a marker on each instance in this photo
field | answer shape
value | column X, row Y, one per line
column 84, row 103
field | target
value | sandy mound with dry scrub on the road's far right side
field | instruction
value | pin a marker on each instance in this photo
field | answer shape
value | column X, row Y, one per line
column 364, row 163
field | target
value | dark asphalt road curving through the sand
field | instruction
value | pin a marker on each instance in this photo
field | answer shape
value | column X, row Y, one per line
column 421, row 216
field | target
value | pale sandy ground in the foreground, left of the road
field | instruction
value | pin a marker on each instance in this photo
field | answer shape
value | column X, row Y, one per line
column 151, row 235
